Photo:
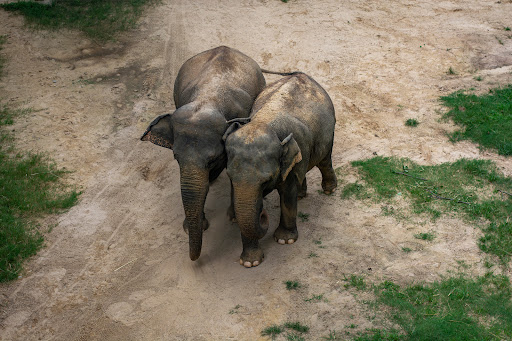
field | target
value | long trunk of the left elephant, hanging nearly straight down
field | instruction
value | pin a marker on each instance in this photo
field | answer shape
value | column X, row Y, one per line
column 194, row 187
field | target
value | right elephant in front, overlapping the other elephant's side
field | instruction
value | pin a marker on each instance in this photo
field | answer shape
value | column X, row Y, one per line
column 291, row 131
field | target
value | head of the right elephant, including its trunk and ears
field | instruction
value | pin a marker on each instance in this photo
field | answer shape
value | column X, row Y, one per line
column 257, row 162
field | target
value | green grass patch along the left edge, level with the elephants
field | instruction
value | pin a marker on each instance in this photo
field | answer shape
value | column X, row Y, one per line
column 30, row 186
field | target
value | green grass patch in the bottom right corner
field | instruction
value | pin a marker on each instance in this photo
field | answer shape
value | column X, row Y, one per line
column 457, row 307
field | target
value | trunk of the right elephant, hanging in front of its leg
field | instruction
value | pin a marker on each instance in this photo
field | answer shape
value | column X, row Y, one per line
column 250, row 215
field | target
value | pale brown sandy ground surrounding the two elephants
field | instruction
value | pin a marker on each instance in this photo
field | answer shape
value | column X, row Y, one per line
column 116, row 266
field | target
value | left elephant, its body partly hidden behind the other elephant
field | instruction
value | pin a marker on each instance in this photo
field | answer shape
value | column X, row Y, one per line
column 211, row 88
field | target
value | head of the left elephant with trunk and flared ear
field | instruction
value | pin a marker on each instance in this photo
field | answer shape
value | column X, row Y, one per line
column 195, row 136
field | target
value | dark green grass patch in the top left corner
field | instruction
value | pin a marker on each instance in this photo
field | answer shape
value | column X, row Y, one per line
column 98, row 19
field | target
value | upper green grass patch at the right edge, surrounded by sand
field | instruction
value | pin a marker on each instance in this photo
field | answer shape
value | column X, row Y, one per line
column 485, row 119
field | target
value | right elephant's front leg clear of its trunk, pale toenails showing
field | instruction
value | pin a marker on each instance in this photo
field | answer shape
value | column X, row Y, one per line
column 286, row 232
